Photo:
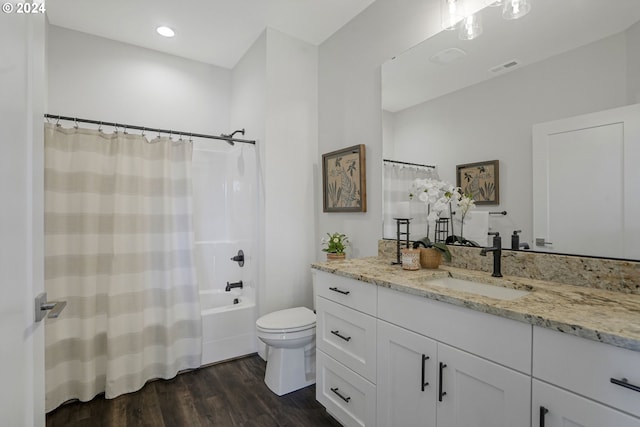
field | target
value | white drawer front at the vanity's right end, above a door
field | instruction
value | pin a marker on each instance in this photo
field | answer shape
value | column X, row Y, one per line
column 587, row 367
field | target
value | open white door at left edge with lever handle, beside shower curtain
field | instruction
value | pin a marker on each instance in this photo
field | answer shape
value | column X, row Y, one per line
column 21, row 219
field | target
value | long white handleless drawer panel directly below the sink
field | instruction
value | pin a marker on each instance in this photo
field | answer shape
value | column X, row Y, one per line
column 501, row 340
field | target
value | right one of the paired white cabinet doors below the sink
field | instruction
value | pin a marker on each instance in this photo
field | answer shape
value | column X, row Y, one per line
column 478, row 393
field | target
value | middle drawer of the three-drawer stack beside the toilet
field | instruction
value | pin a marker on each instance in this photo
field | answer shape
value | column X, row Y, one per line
column 348, row 336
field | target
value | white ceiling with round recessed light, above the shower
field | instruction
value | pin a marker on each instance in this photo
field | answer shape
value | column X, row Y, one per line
column 216, row 32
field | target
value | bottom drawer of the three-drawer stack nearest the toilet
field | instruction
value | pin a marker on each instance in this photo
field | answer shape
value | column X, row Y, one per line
column 347, row 396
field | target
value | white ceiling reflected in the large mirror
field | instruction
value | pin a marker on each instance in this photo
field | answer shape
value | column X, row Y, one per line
column 552, row 27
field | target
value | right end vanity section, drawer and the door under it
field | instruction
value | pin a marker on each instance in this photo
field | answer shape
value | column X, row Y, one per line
column 583, row 382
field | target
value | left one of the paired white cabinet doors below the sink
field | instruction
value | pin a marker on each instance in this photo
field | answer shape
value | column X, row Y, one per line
column 407, row 378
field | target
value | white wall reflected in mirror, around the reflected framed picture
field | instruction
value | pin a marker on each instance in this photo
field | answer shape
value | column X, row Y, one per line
column 493, row 120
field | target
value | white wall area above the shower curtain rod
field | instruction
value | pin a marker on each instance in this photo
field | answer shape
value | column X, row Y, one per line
column 96, row 78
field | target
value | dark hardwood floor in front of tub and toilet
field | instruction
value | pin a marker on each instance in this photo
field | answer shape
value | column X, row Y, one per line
column 227, row 394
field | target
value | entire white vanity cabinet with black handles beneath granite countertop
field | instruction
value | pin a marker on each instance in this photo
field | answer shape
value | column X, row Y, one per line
column 390, row 358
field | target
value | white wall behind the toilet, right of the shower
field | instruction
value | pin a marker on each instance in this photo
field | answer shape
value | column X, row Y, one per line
column 276, row 83
